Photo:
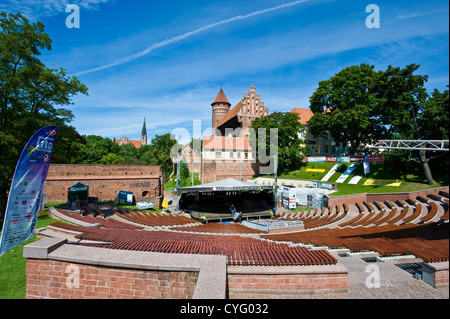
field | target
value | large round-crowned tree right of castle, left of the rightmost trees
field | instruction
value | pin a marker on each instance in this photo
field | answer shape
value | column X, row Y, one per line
column 344, row 106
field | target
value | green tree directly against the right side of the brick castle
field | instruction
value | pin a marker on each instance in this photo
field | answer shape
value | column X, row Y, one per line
column 290, row 147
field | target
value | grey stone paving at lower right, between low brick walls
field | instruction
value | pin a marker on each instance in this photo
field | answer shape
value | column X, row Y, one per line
column 396, row 277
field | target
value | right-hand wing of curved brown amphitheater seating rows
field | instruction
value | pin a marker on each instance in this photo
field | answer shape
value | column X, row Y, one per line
column 390, row 232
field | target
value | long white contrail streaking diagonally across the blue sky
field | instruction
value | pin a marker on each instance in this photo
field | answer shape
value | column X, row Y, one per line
column 188, row 34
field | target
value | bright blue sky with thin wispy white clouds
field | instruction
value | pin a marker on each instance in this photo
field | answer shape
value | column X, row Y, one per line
column 166, row 60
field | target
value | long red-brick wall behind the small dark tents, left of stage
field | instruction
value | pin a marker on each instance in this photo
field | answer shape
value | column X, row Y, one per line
column 105, row 181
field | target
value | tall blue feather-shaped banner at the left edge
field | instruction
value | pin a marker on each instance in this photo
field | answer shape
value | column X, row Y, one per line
column 27, row 187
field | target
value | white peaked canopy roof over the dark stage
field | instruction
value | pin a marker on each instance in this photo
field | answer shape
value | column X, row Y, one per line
column 228, row 184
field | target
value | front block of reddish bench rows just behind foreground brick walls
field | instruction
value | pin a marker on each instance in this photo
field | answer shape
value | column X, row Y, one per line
column 239, row 250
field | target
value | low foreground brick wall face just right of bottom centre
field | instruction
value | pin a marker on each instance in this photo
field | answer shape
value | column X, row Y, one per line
column 261, row 286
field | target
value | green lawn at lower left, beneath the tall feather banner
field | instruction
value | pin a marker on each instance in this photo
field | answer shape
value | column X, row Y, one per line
column 13, row 265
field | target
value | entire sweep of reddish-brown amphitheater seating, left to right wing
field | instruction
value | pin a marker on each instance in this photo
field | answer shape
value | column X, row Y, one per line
column 389, row 228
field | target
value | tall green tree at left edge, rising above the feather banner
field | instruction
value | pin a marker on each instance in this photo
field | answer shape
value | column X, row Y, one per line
column 31, row 95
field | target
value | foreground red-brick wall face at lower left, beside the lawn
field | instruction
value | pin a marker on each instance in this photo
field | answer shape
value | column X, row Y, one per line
column 56, row 279
